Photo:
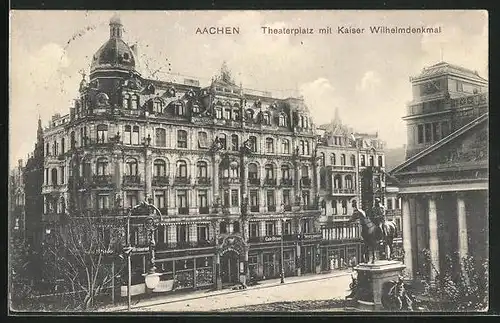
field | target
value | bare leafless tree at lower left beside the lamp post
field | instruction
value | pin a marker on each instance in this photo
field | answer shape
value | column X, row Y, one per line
column 82, row 252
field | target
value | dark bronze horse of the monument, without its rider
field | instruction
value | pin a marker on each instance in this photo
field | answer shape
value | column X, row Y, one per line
column 372, row 234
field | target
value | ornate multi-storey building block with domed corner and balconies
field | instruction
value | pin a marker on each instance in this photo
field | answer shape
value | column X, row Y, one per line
column 233, row 172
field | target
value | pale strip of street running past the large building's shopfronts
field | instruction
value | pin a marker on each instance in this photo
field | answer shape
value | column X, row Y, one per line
column 303, row 288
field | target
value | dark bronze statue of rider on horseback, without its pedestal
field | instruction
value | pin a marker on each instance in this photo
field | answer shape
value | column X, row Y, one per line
column 375, row 230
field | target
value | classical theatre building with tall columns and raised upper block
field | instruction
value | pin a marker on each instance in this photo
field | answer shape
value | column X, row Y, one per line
column 444, row 181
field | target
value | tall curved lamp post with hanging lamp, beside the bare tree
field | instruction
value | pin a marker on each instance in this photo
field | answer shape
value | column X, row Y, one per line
column 152, row 278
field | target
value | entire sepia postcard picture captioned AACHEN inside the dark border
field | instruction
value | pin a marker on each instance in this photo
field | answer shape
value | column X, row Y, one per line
column 245, row 161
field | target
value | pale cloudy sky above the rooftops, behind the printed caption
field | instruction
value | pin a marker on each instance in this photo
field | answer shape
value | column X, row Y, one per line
column 365, row 76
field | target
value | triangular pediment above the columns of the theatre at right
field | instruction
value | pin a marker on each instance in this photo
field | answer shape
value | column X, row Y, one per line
column 464, row 150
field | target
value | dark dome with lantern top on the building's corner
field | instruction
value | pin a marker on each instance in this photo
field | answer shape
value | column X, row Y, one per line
column 115, row 53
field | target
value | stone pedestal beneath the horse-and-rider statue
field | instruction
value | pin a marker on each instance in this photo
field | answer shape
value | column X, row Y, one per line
column 371, row 279
